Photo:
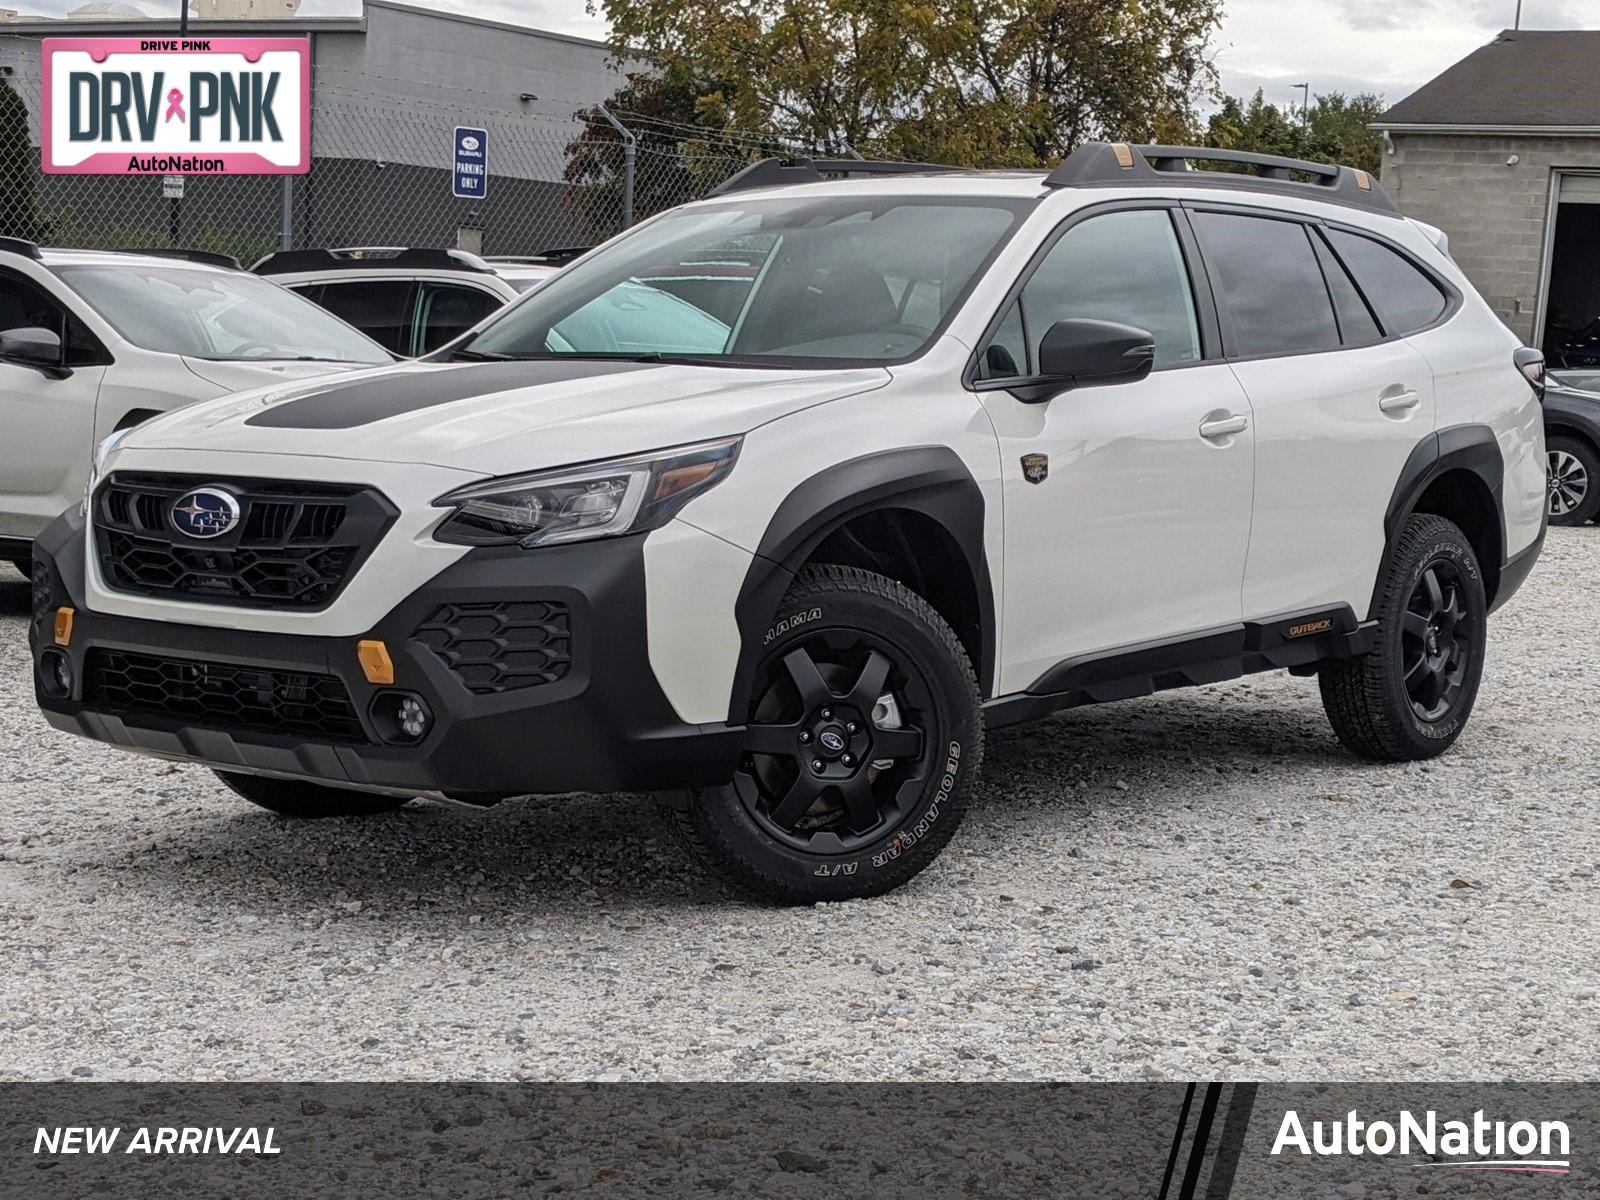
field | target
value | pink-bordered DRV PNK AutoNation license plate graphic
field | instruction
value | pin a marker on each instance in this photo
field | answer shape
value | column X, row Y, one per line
column 177, row 106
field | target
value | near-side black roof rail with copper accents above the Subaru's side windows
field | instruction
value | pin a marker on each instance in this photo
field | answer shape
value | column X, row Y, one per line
column 1103, row 164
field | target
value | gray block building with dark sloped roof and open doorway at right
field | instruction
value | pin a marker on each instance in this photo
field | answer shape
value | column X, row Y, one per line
column 1503, row 153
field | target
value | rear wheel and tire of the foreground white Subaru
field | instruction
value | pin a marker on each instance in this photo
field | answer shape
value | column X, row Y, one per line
column 1414, row 694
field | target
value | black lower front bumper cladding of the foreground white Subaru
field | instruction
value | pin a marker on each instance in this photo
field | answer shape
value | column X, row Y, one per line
column 534, row 668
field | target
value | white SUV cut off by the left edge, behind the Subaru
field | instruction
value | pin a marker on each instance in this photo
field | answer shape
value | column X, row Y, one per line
column 95, row 342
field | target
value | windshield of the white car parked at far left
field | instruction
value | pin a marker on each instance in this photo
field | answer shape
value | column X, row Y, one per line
column 214, row 314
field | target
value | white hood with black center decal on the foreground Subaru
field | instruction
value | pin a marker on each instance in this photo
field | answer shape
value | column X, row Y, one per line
column 502, row 418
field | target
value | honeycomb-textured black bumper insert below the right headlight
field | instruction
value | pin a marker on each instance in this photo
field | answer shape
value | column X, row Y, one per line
column 502, row 647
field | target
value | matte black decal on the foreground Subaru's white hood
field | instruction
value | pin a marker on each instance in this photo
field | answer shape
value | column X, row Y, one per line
column 361, row 402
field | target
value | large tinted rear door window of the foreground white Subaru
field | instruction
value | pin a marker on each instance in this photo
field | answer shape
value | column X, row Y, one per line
column 1268, row 286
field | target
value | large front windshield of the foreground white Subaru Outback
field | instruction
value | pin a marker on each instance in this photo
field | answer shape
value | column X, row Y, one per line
column 804, row 282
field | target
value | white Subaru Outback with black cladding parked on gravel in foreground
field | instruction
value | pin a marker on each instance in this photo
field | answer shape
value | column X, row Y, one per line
column 970, row 449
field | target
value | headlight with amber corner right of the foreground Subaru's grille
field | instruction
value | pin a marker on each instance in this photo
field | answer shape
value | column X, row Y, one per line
column 601, row 500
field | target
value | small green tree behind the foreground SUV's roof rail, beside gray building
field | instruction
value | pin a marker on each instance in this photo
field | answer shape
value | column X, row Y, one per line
column 1334, row 130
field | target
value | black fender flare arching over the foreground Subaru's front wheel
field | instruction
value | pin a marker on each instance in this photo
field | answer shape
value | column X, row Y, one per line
column 929, row 481
